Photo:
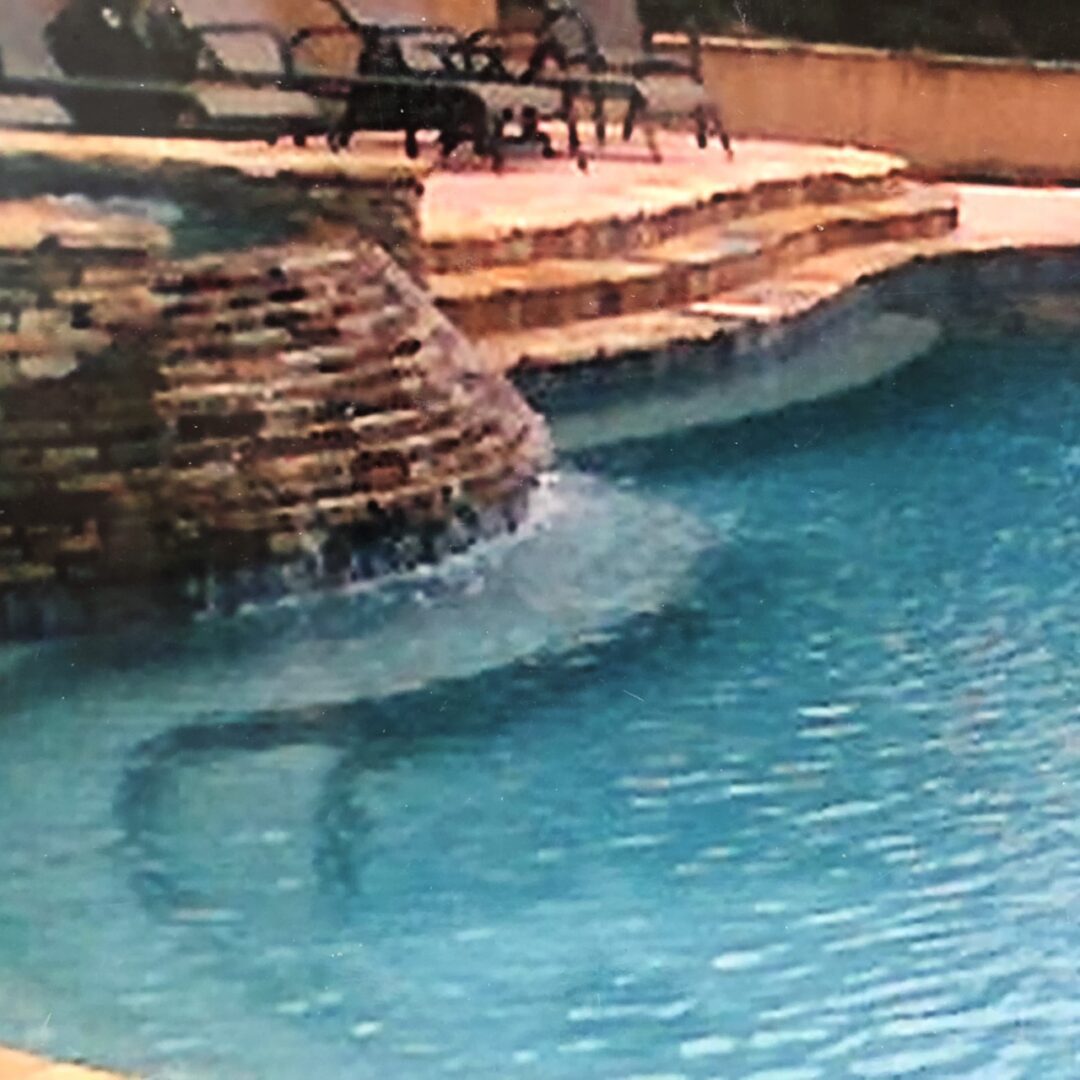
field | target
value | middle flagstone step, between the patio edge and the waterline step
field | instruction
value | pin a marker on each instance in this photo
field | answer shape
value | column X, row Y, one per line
column 688, row 269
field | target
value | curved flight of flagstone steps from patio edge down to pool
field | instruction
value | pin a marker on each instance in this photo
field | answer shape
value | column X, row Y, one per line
column 693, row 276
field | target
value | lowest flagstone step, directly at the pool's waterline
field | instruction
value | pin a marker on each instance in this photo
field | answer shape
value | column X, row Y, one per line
column 739, row 317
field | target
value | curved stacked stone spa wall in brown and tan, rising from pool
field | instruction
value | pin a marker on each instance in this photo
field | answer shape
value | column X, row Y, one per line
column 219, row 429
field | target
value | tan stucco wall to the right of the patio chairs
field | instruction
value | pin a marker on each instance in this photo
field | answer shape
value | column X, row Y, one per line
column 950, row 116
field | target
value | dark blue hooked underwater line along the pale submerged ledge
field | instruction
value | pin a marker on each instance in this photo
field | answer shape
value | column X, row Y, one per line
column 372, row 736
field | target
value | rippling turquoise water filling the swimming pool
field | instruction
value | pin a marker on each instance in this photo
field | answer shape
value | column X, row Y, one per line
column 758, row 758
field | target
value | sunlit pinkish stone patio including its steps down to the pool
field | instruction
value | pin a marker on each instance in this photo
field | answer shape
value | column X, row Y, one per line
column 546, row 266
